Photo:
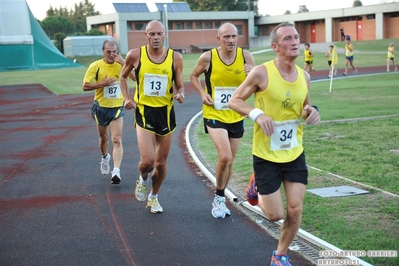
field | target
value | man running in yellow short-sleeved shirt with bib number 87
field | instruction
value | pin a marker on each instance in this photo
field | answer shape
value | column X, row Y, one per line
column 107, row 110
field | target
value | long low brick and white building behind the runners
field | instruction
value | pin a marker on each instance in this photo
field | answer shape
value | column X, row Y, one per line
column 191, row 32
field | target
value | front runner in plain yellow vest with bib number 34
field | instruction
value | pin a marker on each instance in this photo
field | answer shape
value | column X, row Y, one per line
column 281, row 99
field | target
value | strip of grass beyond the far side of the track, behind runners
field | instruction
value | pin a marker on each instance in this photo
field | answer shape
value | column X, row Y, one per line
column 69, row 81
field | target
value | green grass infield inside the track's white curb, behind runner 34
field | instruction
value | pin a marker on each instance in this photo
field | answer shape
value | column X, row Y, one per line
column 362, row 146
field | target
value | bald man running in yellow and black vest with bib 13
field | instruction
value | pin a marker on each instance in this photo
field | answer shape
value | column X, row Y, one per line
column 159, row 81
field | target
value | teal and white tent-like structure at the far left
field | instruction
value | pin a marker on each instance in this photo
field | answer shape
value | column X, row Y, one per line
column 23, row 43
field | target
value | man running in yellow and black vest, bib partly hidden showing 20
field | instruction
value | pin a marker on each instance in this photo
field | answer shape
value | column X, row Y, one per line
column 224, row 67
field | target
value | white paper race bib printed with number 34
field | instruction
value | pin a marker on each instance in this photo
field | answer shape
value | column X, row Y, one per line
column 284, row 136
